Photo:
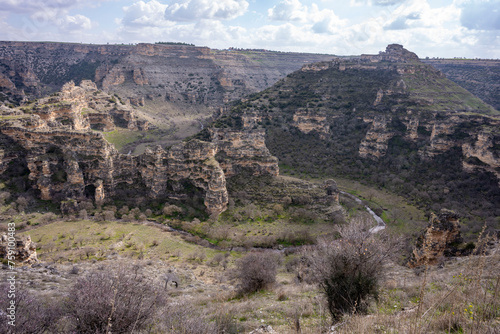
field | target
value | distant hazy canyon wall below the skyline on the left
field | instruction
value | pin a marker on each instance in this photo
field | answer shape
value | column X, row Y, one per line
column 173, row 73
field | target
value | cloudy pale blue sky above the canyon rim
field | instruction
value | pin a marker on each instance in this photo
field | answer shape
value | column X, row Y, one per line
column 430, row 28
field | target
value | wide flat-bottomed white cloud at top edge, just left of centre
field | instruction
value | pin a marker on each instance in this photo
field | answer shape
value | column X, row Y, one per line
column 192, row 10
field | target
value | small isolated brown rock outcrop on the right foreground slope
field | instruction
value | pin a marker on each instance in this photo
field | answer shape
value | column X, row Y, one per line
column 440, row 239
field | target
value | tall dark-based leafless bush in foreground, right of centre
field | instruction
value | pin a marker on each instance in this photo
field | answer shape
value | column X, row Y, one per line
column 348, row 269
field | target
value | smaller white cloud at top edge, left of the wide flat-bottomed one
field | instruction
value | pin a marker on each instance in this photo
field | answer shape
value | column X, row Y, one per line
column 145, row 14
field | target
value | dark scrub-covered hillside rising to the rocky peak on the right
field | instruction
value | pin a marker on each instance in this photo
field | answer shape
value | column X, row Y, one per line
column 388, row 120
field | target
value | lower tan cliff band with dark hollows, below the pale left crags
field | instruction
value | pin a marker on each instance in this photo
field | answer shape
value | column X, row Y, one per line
column 79, row 165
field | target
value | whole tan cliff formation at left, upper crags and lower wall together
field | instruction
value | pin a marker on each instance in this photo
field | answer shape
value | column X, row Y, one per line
column 55, row 140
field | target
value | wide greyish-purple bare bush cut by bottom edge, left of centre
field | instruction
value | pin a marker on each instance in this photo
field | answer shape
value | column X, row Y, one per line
column 118, row 302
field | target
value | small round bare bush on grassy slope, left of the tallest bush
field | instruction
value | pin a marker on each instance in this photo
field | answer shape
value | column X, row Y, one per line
column 256, row 271
